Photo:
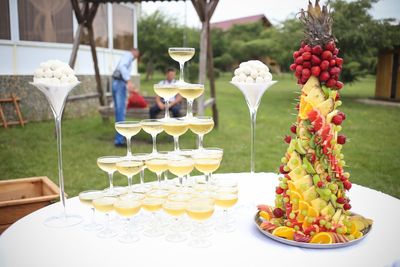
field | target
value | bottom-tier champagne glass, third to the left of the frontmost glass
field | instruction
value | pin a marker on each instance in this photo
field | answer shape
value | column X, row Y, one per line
column 127, row 208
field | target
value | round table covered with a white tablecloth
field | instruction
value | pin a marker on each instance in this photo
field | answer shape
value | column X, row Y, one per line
column 29, row 242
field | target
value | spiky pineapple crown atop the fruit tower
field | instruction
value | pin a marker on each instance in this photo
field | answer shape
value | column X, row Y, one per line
column 317, row 24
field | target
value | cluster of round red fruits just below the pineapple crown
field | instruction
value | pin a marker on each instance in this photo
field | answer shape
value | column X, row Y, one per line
column 322, row 63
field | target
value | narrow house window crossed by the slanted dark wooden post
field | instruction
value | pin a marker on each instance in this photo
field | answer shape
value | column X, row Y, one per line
column 100, row 29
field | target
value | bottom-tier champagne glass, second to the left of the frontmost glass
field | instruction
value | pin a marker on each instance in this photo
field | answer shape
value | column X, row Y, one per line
column 153, row 205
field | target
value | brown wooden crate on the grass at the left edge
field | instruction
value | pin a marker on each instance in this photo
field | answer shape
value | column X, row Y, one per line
column 19, row 197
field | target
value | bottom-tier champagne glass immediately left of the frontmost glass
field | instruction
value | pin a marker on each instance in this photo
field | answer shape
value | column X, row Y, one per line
column 176, row 210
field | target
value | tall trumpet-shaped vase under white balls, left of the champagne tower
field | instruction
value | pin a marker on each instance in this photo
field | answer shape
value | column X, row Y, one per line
column 56, row 95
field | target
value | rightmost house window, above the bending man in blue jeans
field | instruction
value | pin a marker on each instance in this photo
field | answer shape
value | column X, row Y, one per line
column 122, row 27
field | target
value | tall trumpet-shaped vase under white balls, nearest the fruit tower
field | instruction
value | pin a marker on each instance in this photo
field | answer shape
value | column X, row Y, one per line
column 253, row 93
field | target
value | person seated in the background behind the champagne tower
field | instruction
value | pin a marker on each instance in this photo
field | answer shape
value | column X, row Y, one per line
column 174, row 102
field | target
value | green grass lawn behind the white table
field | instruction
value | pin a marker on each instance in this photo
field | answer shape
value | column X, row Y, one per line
column 372, row 152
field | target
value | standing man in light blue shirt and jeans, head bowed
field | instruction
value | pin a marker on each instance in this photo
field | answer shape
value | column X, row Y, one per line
column 121, row 82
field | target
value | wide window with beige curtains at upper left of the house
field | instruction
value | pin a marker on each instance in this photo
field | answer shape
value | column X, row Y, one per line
column 45, row 20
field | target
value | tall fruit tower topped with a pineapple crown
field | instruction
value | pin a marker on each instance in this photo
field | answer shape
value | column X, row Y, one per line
column 311, row 203
